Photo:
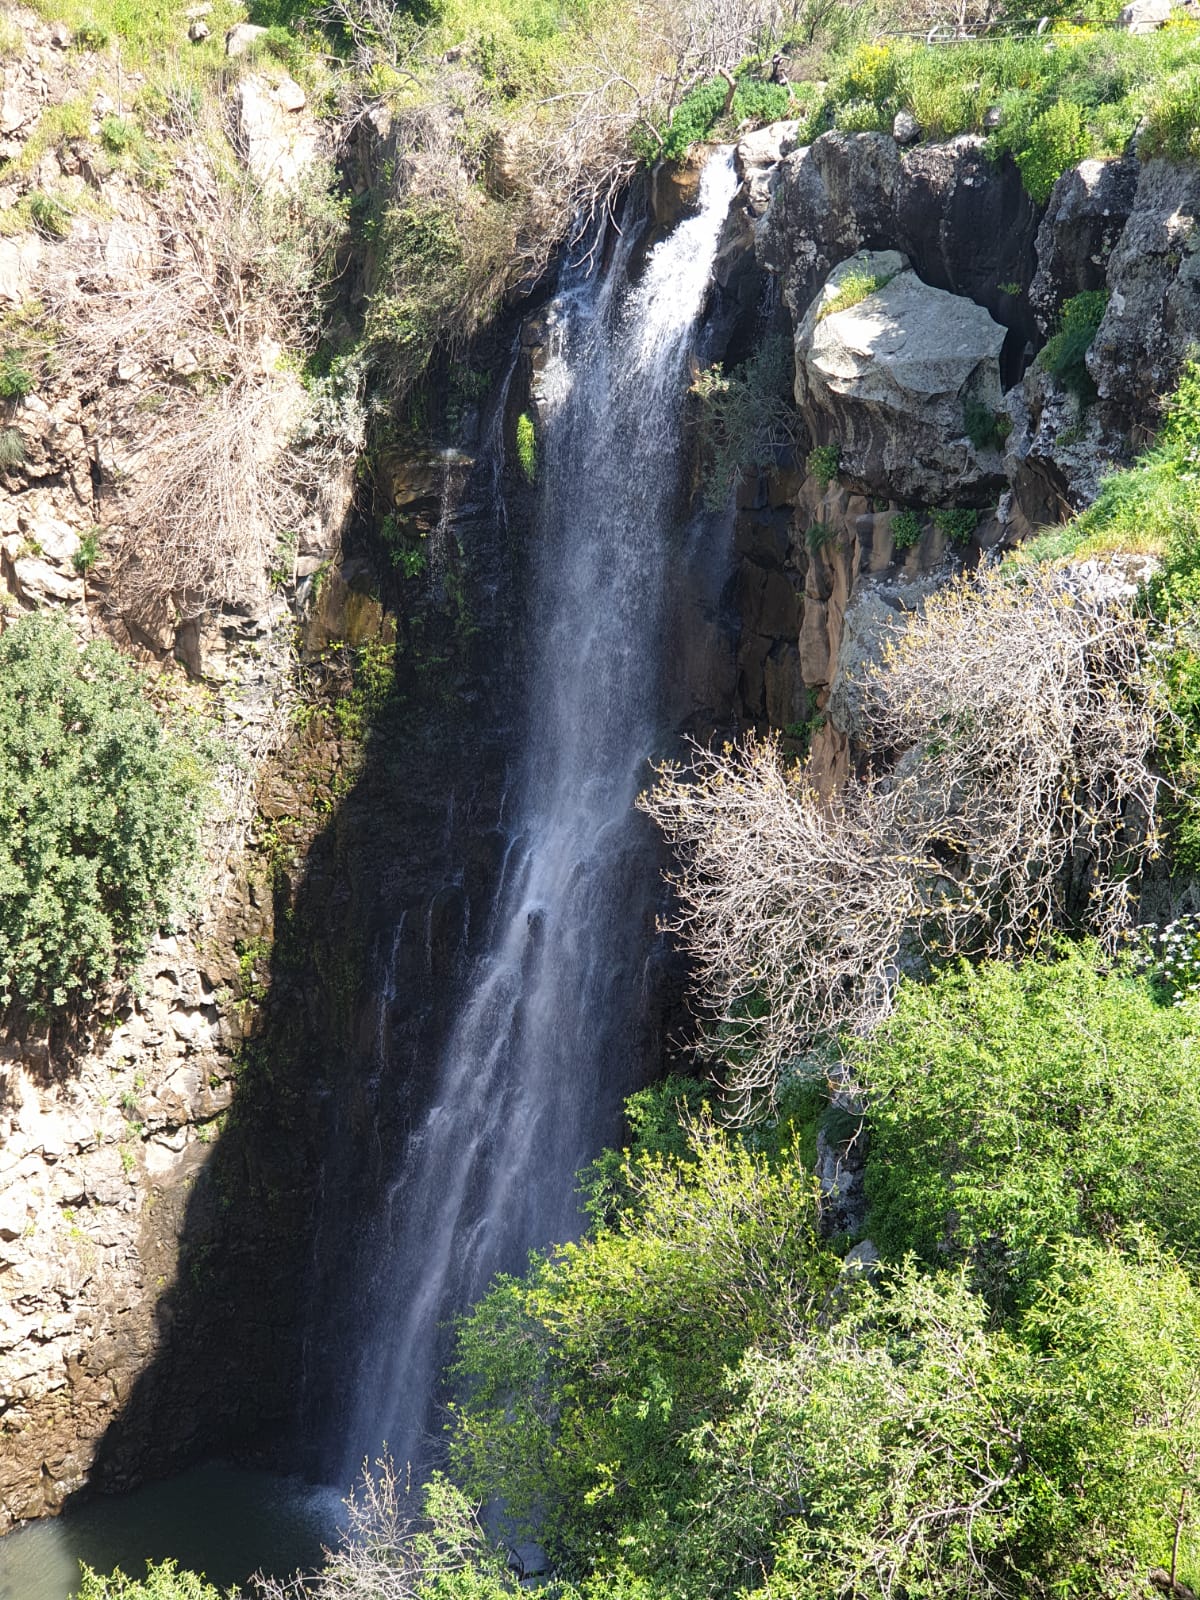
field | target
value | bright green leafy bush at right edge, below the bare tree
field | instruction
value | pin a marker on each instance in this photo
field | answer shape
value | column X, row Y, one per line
column 1015, row 1108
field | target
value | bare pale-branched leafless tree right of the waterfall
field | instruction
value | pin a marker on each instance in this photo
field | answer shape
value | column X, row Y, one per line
column 1023, row 801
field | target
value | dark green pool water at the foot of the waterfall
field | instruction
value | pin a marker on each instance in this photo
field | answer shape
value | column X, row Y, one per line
column 217, row 1519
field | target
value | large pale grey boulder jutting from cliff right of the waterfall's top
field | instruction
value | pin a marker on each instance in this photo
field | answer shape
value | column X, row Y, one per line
column 890, row 377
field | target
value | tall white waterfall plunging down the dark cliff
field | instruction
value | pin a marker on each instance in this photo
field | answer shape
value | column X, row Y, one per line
column 546, row 1042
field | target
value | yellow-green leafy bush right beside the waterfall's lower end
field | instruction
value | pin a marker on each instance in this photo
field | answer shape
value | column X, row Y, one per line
column 585, row 1380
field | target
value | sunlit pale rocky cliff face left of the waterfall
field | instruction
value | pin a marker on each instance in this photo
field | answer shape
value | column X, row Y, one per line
column 106, row 1135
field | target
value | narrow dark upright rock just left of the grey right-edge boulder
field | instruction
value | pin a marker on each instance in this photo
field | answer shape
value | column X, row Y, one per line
column 1086, row 218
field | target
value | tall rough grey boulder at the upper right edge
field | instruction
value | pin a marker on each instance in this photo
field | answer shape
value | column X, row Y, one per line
column 1154, row 295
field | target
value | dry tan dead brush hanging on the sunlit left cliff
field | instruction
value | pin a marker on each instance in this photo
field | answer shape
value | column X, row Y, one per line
column 201, row 478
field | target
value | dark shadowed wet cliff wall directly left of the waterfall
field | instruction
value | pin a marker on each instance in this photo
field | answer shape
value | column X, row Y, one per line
column 372, row 857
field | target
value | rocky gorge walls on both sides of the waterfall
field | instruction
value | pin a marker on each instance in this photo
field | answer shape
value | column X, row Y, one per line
column 180, row 1191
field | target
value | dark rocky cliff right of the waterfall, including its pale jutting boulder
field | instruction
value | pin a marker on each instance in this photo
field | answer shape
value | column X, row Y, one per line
column 919, row 284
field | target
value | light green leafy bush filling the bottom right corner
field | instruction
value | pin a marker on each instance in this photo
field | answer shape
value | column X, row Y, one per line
column 911, row 1449
